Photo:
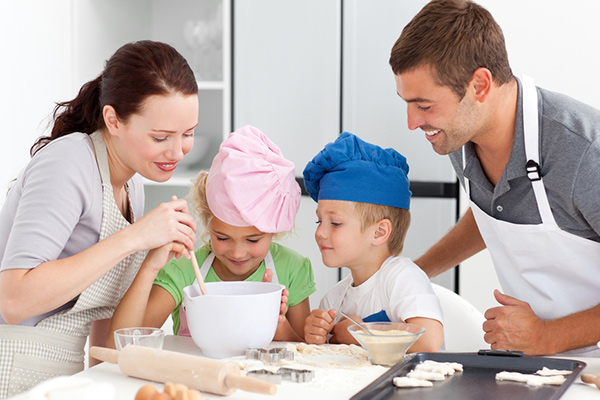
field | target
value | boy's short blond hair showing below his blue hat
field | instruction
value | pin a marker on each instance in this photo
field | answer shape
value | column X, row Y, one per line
column 369, row 214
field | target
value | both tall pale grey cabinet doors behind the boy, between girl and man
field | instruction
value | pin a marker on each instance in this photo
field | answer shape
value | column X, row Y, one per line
column 305, row 71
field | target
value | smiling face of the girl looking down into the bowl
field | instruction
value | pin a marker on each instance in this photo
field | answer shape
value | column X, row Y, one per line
column 238, row 250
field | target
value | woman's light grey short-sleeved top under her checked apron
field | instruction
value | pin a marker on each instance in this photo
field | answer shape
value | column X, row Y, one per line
column 54, row 208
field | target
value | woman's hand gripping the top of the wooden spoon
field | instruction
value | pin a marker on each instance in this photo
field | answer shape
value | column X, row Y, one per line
column 168, row 222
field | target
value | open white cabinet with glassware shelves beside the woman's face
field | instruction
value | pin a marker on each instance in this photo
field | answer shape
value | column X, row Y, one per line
column 201, row 31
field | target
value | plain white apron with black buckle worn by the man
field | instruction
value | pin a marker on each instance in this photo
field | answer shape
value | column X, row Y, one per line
column 554, row 271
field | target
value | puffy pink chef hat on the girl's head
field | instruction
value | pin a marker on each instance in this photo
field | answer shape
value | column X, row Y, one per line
column 250, row 183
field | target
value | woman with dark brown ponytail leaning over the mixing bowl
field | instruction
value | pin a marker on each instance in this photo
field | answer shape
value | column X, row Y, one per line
column 70, row 238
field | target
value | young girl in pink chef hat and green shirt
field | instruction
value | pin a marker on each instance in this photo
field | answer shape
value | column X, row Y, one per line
column 247, row 199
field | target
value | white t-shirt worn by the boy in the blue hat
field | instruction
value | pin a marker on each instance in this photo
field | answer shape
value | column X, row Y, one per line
column 399, row 287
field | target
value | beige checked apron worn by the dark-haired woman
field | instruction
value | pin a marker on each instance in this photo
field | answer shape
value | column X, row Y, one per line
column 55, row 346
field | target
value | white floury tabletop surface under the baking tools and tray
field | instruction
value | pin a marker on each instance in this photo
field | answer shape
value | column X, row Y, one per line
column 331, row 384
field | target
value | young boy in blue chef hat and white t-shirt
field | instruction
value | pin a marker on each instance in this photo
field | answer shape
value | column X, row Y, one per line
column 363, row 215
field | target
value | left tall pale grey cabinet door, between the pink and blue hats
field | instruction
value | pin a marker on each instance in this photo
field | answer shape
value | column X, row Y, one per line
column 286, row 82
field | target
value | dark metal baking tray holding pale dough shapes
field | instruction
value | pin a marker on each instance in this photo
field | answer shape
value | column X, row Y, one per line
column 477, row 381
